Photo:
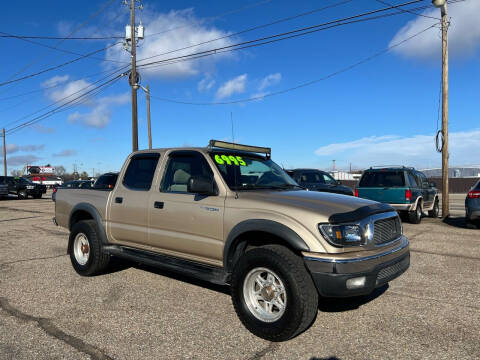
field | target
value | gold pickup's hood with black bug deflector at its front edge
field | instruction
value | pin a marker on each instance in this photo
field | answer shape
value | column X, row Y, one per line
column 332, row 207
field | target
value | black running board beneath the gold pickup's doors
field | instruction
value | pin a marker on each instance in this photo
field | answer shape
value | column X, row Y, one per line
column 204, row 272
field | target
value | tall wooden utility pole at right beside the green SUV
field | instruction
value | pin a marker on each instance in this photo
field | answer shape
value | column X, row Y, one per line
column 442, row 4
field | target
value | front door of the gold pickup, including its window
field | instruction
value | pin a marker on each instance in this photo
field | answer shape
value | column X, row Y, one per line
column 185, row 224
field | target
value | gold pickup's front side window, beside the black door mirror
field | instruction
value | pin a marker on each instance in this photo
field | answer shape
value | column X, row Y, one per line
column 181, row 167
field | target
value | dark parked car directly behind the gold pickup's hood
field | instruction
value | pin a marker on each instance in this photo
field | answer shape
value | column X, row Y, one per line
column 317, row 180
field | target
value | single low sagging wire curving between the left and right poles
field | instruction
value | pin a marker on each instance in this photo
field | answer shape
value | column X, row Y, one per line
column 338, row 72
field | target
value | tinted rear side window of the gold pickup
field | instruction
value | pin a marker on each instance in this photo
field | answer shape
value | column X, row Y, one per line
column 140, row 171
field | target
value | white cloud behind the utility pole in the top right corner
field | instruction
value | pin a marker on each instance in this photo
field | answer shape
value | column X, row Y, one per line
column 464, row 33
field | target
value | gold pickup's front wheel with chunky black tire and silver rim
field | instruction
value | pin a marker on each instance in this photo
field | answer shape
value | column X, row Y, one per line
column 273, row 294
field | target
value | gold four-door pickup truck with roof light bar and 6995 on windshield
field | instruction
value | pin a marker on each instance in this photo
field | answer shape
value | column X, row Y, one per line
column 228, row 214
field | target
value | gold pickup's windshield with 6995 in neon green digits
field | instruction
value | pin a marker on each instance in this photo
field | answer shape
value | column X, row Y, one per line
column 249, row 172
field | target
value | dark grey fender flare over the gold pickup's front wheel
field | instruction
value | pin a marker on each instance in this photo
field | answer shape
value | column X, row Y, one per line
column 268, row 226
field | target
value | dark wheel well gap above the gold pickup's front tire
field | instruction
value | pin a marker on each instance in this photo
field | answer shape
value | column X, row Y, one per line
column 250, row 240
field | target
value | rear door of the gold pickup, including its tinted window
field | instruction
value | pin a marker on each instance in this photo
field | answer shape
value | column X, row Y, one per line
column 127, row 211
